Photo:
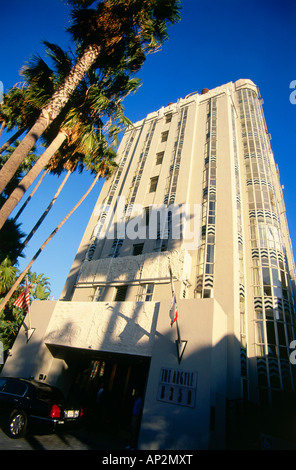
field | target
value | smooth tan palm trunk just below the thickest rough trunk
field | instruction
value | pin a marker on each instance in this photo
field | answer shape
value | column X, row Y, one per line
column 30, row 177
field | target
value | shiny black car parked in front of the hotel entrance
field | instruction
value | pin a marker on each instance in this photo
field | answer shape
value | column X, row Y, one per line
column 25, row 403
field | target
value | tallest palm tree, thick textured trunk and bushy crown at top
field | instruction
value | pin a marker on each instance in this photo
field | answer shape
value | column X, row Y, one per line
column 116, row 34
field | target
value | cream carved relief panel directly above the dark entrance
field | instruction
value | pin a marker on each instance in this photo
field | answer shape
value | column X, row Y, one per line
column 122, row 327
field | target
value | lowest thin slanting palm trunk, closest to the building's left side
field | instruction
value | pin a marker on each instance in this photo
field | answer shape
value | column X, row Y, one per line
column 25, row 271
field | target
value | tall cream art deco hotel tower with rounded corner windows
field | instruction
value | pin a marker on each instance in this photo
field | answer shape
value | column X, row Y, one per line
column 195, row 209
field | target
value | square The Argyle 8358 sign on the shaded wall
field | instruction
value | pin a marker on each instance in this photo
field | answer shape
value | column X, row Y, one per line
column 177, row 387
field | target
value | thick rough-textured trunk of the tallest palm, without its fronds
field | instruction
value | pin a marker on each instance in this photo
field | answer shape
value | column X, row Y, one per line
column 49, row 113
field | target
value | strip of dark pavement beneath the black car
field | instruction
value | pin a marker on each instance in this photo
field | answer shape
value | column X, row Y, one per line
column 77, row 440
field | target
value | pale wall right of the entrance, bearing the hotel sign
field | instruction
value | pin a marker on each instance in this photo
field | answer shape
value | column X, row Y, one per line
column 172, row 426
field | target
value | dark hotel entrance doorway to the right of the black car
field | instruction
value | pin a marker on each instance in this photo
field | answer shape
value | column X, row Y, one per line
column 106, row 386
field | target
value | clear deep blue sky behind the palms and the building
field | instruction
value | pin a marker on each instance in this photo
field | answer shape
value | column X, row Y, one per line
column 215, row 42
